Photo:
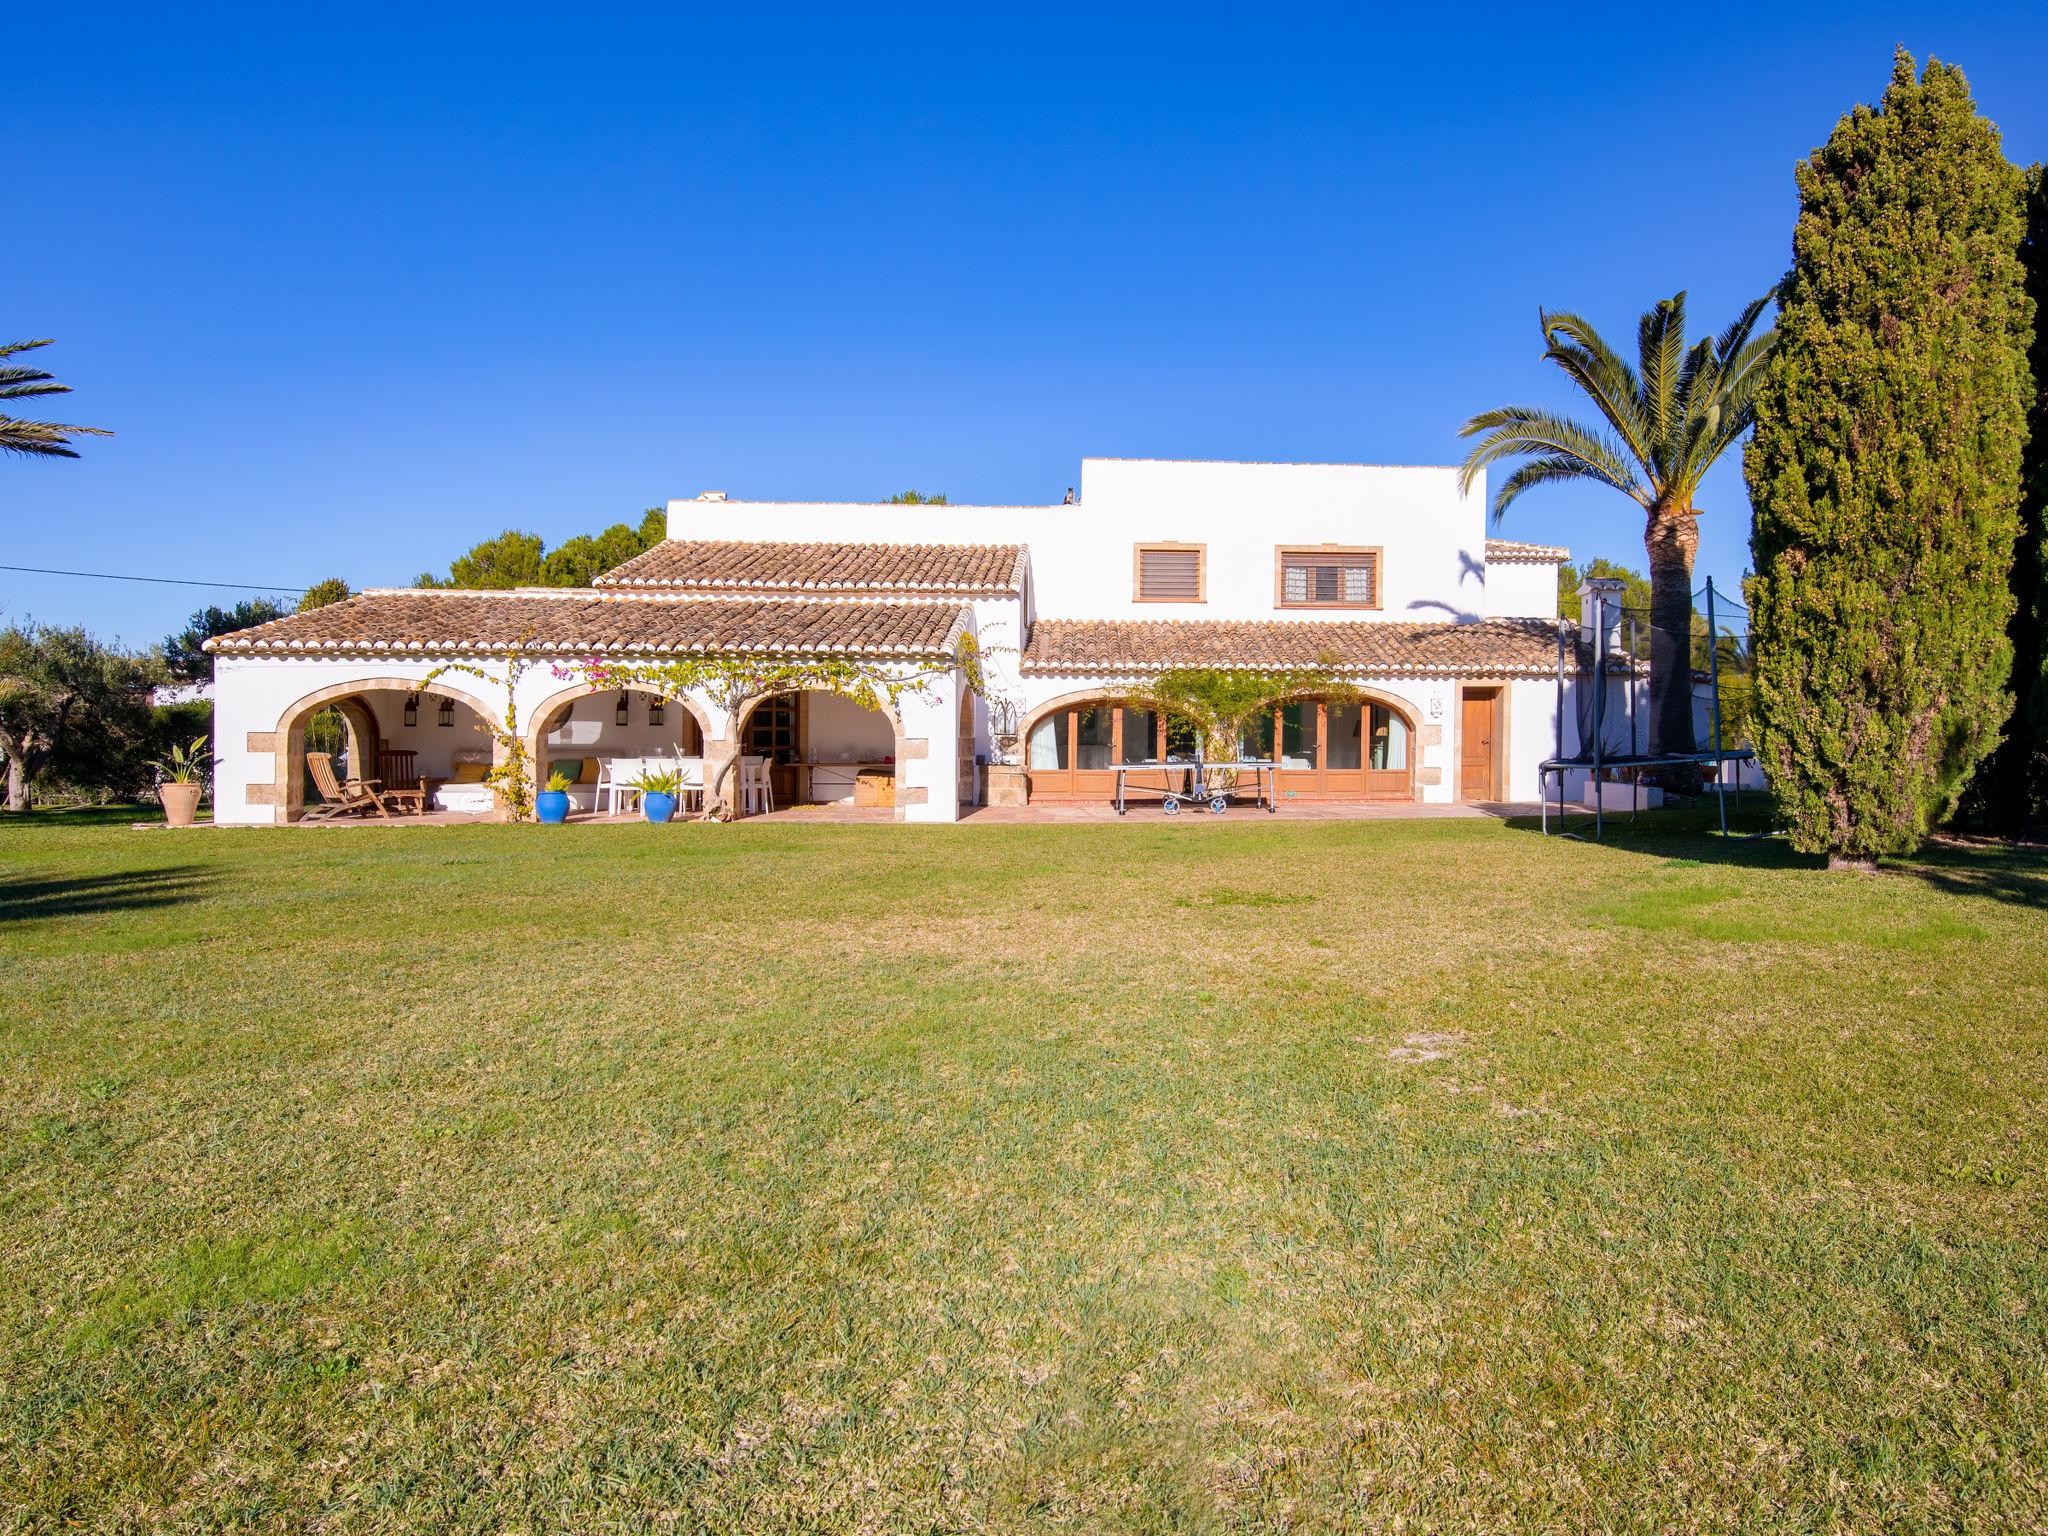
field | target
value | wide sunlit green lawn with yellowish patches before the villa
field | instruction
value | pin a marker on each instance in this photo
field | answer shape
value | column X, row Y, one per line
column 1252, row 1177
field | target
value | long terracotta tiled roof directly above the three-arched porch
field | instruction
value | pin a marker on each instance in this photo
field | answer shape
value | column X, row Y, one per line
column 593, row 622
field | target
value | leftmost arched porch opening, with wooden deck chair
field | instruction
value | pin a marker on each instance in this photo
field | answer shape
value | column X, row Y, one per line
column 394, row 730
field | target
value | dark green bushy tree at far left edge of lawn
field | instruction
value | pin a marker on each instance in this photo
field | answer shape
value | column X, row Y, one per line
column 71, row 703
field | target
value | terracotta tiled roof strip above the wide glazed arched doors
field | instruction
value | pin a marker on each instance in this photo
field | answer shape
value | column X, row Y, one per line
column 1394, row 650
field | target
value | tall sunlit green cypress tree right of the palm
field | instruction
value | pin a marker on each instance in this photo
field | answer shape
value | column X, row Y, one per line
column 1885, row 472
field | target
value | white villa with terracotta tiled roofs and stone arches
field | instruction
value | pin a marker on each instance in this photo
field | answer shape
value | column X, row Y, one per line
column 1381, row 572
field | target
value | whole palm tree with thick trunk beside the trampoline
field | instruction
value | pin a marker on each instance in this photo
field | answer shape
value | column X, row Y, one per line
column 1670, row 419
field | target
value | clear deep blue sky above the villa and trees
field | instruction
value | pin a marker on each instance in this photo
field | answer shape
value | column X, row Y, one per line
column 364, row 286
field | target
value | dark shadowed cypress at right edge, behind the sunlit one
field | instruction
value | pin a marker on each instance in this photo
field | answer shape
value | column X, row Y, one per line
column 2010, row 792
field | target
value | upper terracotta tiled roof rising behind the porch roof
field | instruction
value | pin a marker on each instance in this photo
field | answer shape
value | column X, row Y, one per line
column 765, row 566
